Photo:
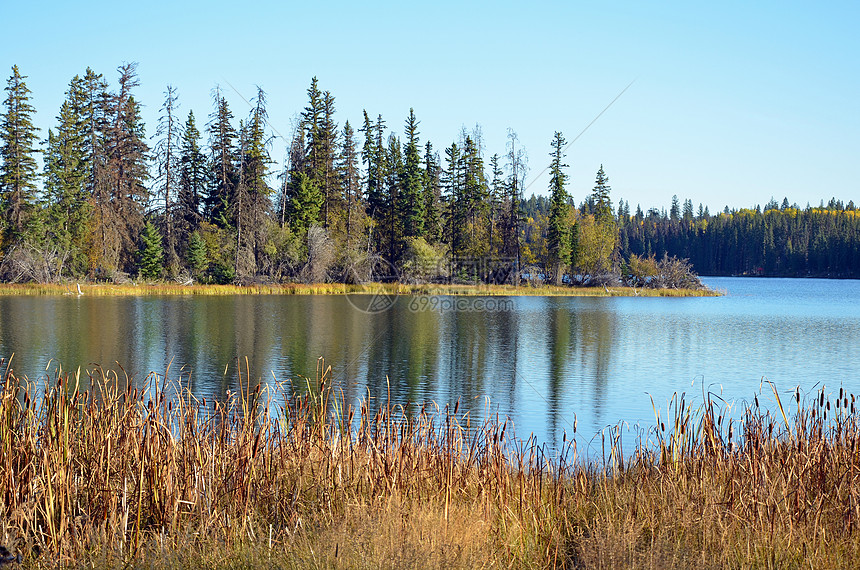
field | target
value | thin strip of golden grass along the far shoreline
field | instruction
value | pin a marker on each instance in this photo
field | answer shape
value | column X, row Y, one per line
column 37, row 289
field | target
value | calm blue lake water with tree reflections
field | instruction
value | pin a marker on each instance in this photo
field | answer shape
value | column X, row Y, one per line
column 542, row 361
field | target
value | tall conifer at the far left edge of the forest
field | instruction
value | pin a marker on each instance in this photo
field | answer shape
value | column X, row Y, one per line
column 18, row 171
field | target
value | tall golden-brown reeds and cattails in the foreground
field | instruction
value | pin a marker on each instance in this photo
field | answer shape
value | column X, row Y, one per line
column 111, row 476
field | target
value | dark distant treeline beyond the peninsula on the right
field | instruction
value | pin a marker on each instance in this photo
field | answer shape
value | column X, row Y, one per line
column 778, row 239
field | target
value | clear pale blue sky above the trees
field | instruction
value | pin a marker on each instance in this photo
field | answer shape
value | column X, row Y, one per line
column 733, row 102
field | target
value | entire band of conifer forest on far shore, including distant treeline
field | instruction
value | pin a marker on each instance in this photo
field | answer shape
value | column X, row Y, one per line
column 202, row 200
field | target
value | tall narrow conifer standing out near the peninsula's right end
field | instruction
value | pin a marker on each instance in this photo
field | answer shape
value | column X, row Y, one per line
column 558, row 238
